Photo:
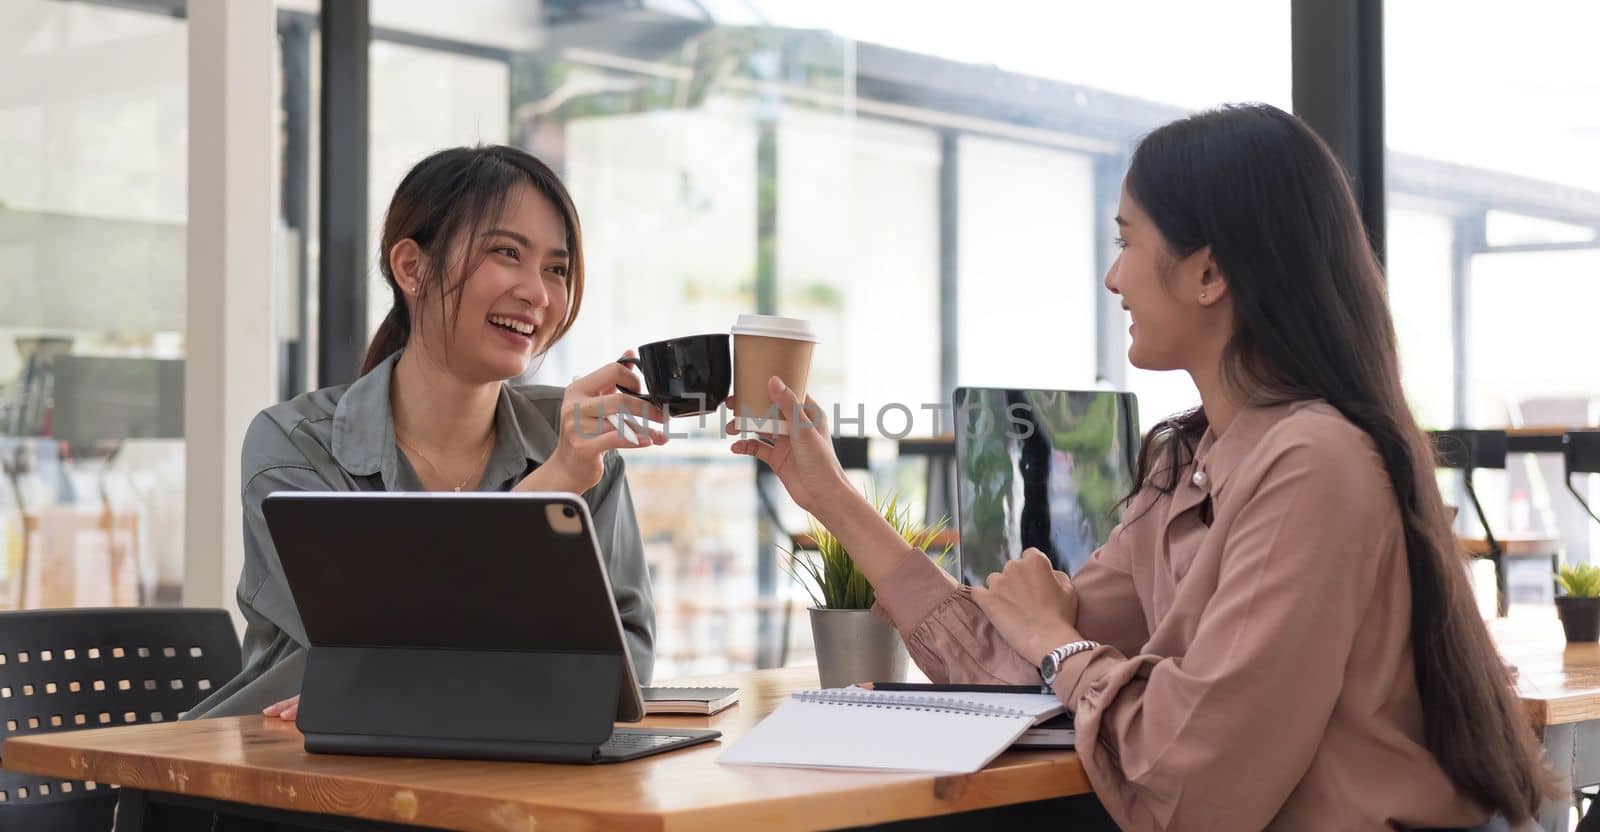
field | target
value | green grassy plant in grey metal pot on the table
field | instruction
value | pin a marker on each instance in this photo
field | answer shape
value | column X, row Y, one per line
column 854, row 644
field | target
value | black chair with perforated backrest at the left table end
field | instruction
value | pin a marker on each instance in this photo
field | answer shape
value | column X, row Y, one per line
column 70, row 670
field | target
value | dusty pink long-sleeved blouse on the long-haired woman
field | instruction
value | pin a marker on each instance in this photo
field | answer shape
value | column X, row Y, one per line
column 1257, row 670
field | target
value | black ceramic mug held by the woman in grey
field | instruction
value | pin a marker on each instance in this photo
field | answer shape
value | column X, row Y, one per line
column 686, row 377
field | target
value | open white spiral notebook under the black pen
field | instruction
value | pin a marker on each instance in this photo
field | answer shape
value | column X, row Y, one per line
column 905, row 732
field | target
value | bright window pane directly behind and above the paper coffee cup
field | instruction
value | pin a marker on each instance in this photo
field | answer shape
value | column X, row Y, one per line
column 858, row 252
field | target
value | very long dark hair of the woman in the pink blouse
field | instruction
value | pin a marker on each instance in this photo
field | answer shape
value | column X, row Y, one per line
column 1313, row 322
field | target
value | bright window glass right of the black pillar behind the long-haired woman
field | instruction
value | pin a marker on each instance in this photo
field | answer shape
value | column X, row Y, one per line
column 1495, row 236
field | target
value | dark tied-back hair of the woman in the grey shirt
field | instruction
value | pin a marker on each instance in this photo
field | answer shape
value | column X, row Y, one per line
column 460, row 193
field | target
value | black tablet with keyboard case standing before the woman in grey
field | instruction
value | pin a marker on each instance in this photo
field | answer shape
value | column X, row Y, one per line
column 473, row 626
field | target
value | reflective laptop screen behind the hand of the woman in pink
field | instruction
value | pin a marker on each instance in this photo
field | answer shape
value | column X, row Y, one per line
column 1041, row 470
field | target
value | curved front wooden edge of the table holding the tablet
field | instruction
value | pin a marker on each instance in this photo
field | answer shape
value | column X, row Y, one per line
column 290, row 790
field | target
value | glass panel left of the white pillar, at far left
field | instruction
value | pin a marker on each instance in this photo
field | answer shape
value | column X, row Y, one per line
column 94, row 204
